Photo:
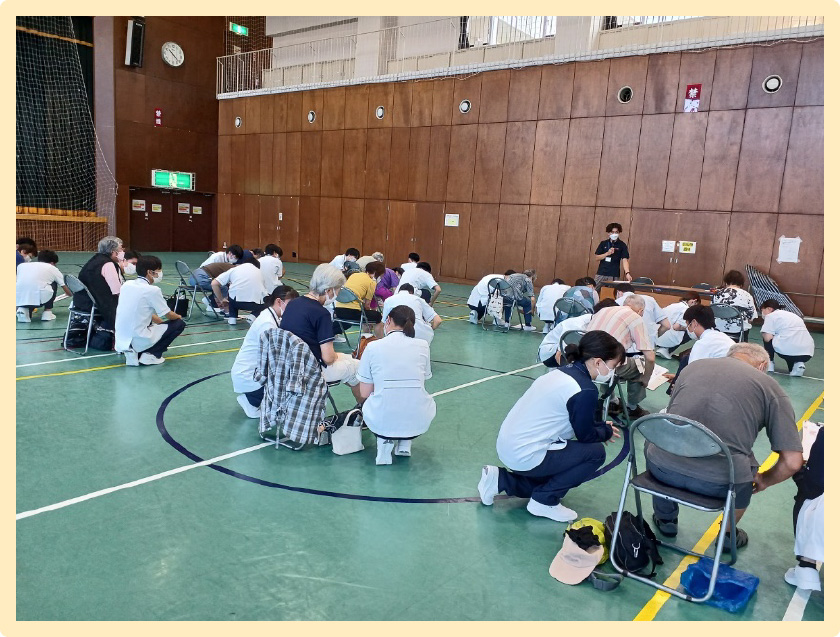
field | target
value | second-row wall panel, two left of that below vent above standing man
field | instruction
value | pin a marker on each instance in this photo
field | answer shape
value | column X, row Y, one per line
column 549, row 161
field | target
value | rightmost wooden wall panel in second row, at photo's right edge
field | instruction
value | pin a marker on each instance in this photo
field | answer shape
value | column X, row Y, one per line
column 802, row 186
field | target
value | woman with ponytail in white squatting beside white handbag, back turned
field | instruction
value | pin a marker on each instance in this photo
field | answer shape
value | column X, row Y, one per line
column 392, row 373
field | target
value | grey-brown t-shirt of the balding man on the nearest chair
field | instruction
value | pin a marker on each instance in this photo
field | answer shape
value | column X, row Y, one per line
column 735, row 401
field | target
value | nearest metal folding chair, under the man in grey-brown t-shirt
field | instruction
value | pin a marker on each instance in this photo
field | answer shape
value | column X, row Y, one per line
column 688, row 439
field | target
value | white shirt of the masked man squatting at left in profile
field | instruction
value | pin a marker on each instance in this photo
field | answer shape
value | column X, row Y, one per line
column 139, row 301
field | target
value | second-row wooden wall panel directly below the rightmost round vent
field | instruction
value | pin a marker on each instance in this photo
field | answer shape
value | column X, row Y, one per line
column 759, row 180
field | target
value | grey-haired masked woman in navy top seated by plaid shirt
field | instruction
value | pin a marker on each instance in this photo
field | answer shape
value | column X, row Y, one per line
column 308, row 319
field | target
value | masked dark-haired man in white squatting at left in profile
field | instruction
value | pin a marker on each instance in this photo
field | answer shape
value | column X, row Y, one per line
column 140, row 332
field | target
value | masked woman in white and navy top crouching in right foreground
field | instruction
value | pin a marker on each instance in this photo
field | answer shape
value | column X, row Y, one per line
column 550, row 440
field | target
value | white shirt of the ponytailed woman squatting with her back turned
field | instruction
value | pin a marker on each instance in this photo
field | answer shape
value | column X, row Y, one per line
column 398, row 367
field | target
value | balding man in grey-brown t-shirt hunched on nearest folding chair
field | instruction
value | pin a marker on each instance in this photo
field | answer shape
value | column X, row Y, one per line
column 735, row 399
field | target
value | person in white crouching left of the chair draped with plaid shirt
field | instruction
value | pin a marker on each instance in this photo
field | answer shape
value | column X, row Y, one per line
column 250, row 392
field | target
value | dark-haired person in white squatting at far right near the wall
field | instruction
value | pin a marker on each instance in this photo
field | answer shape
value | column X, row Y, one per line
column 785, row 334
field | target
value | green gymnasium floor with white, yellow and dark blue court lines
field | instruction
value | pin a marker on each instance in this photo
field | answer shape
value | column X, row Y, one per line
column 273, row 534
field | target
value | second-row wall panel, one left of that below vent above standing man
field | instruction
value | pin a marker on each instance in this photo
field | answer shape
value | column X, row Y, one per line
column 583, row 159
